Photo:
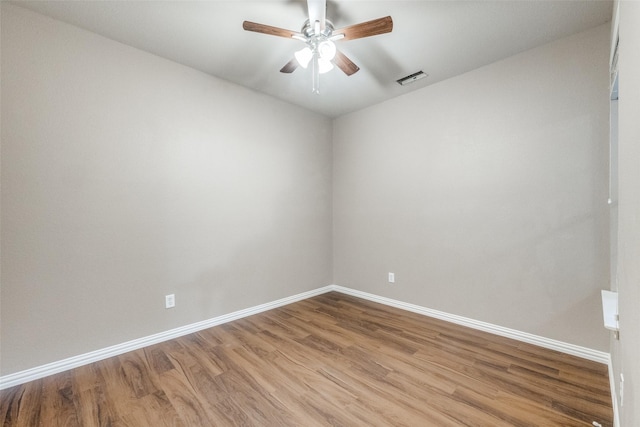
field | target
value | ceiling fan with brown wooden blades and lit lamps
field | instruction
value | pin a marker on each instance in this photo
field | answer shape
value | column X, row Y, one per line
column 319, row 35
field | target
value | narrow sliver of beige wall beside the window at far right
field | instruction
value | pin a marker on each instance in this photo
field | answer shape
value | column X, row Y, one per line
column 629, row 212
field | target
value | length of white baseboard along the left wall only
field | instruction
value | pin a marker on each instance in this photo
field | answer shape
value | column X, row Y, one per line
column 95, row 356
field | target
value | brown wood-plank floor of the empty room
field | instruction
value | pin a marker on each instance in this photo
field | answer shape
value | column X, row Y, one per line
column 330, row 360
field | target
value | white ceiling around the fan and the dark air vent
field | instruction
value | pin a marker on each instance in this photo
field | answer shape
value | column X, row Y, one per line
column 442, row 38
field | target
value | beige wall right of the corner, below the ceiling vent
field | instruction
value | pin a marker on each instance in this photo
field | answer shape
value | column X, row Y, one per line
column 486, row 194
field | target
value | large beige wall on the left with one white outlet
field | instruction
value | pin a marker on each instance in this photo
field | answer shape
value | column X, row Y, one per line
column 126, row 177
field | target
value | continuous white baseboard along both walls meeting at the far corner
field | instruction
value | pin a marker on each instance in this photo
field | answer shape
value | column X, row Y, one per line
column 94, row 356
